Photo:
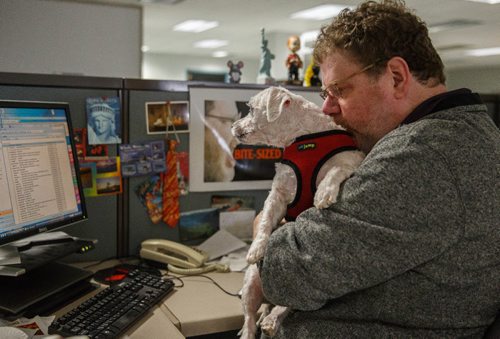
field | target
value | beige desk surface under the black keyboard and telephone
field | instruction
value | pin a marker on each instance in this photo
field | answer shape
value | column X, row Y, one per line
column 197, row 308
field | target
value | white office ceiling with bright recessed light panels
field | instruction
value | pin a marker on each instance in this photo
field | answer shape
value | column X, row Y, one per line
column 240, row 22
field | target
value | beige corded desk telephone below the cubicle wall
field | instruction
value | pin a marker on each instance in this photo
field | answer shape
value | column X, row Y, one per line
column 179, row 258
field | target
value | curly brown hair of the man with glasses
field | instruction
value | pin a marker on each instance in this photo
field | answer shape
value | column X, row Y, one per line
column 374, row 32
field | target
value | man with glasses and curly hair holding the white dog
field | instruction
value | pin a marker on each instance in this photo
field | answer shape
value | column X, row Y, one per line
column 410, row 249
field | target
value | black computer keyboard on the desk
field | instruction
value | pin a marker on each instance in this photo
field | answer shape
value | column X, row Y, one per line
column 112, row 311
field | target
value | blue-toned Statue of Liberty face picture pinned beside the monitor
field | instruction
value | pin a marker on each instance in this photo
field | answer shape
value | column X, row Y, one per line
column 103, row 120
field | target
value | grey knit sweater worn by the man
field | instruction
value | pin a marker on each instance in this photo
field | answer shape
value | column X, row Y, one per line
column 412, row 247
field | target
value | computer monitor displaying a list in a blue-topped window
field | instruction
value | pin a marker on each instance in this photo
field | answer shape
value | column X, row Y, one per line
column 40, row 188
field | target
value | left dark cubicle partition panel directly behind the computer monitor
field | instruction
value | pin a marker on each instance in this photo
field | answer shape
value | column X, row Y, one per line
column 103, row 212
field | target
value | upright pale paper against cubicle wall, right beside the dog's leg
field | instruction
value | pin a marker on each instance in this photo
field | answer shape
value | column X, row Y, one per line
column 238, row 223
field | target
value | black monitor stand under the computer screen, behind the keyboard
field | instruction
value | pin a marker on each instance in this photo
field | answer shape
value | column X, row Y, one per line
column 40, row 283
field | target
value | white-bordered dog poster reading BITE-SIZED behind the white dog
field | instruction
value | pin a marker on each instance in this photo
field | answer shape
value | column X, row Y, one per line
column 226, row 164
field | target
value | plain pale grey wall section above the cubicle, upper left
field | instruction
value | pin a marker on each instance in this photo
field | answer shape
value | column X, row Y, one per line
column 56, row 37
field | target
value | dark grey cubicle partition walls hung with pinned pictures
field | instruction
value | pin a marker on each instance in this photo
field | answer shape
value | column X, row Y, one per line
column 120, row 222
